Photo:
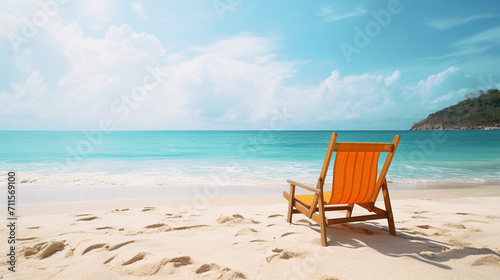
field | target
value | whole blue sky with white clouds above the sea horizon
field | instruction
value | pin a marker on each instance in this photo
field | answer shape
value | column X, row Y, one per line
column 241, row 64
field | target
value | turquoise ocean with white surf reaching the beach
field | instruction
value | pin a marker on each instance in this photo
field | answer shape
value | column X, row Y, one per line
column 235, row 157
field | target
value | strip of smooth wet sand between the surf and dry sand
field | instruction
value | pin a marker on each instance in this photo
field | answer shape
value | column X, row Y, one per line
column 34, row 194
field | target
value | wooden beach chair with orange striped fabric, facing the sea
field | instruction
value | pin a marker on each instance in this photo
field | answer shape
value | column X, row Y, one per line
column 354, row 182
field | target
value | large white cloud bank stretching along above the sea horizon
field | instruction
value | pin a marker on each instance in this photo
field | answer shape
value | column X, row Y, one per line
column 234, row 83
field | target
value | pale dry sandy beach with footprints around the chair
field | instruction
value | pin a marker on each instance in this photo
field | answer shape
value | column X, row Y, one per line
column 442, row 233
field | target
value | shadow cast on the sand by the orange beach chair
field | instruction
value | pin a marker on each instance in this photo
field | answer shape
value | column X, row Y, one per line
column 405, row 244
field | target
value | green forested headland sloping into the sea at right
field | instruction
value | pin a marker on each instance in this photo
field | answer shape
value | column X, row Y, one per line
column 479, row 110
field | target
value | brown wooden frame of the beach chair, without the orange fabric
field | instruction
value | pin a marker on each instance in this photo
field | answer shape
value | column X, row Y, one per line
column 316, row 211
